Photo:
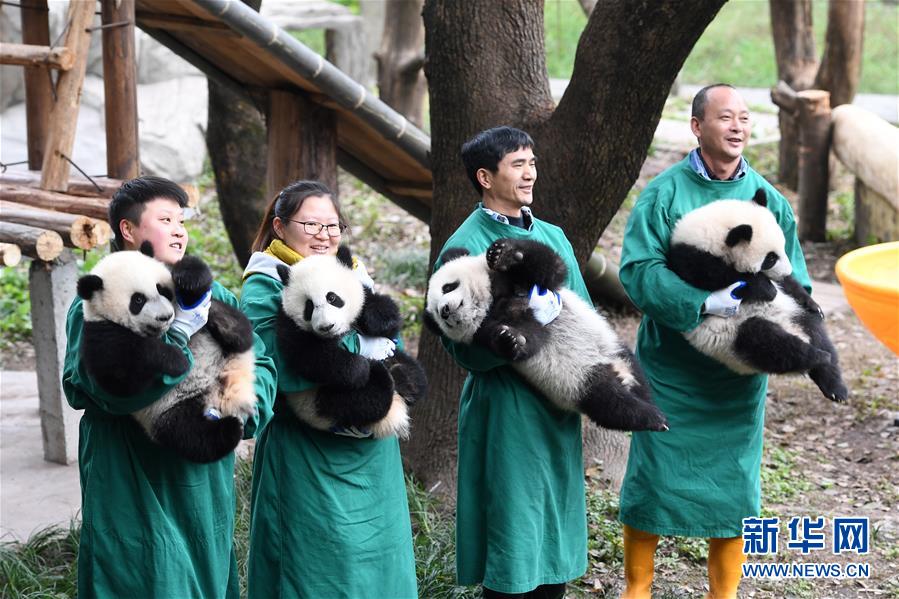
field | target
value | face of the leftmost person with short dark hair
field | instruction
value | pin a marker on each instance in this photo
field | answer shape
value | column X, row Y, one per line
column 162, row 224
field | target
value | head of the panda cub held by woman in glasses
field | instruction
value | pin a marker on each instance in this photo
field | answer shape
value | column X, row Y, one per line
column 322, row 296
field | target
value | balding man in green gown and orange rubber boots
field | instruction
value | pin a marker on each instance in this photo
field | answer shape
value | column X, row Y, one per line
column 702, row 477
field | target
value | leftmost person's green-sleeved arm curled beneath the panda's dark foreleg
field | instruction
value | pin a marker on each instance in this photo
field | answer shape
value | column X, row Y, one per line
column 81, row 390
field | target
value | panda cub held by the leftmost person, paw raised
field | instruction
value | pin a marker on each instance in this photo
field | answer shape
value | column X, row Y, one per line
column 128, row 305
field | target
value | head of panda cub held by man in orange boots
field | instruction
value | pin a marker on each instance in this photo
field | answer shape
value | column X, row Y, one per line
column 745, row 234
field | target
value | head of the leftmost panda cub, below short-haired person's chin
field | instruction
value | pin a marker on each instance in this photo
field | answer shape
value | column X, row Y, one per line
column 131, row 290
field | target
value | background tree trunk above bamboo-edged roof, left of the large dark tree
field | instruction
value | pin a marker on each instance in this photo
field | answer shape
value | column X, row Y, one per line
column 401, row 78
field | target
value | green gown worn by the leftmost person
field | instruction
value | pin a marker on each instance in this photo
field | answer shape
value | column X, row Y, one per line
column 153, row 524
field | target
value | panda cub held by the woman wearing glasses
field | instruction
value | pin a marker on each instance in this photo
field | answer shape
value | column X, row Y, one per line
column 322, row 300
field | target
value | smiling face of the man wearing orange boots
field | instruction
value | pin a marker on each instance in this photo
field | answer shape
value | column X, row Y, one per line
column 725, row 127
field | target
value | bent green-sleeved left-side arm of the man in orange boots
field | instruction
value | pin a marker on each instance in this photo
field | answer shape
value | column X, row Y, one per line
column 653, row 288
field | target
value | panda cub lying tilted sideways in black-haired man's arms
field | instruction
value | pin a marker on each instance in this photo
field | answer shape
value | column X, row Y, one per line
column 576, row 361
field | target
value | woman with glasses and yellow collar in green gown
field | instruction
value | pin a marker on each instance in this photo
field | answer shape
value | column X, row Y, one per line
column 330, row 515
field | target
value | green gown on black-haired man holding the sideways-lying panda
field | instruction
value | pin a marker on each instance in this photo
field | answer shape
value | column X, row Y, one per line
column 521, row 518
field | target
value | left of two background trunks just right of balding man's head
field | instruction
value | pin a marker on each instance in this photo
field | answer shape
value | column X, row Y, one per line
column 794, row 50
